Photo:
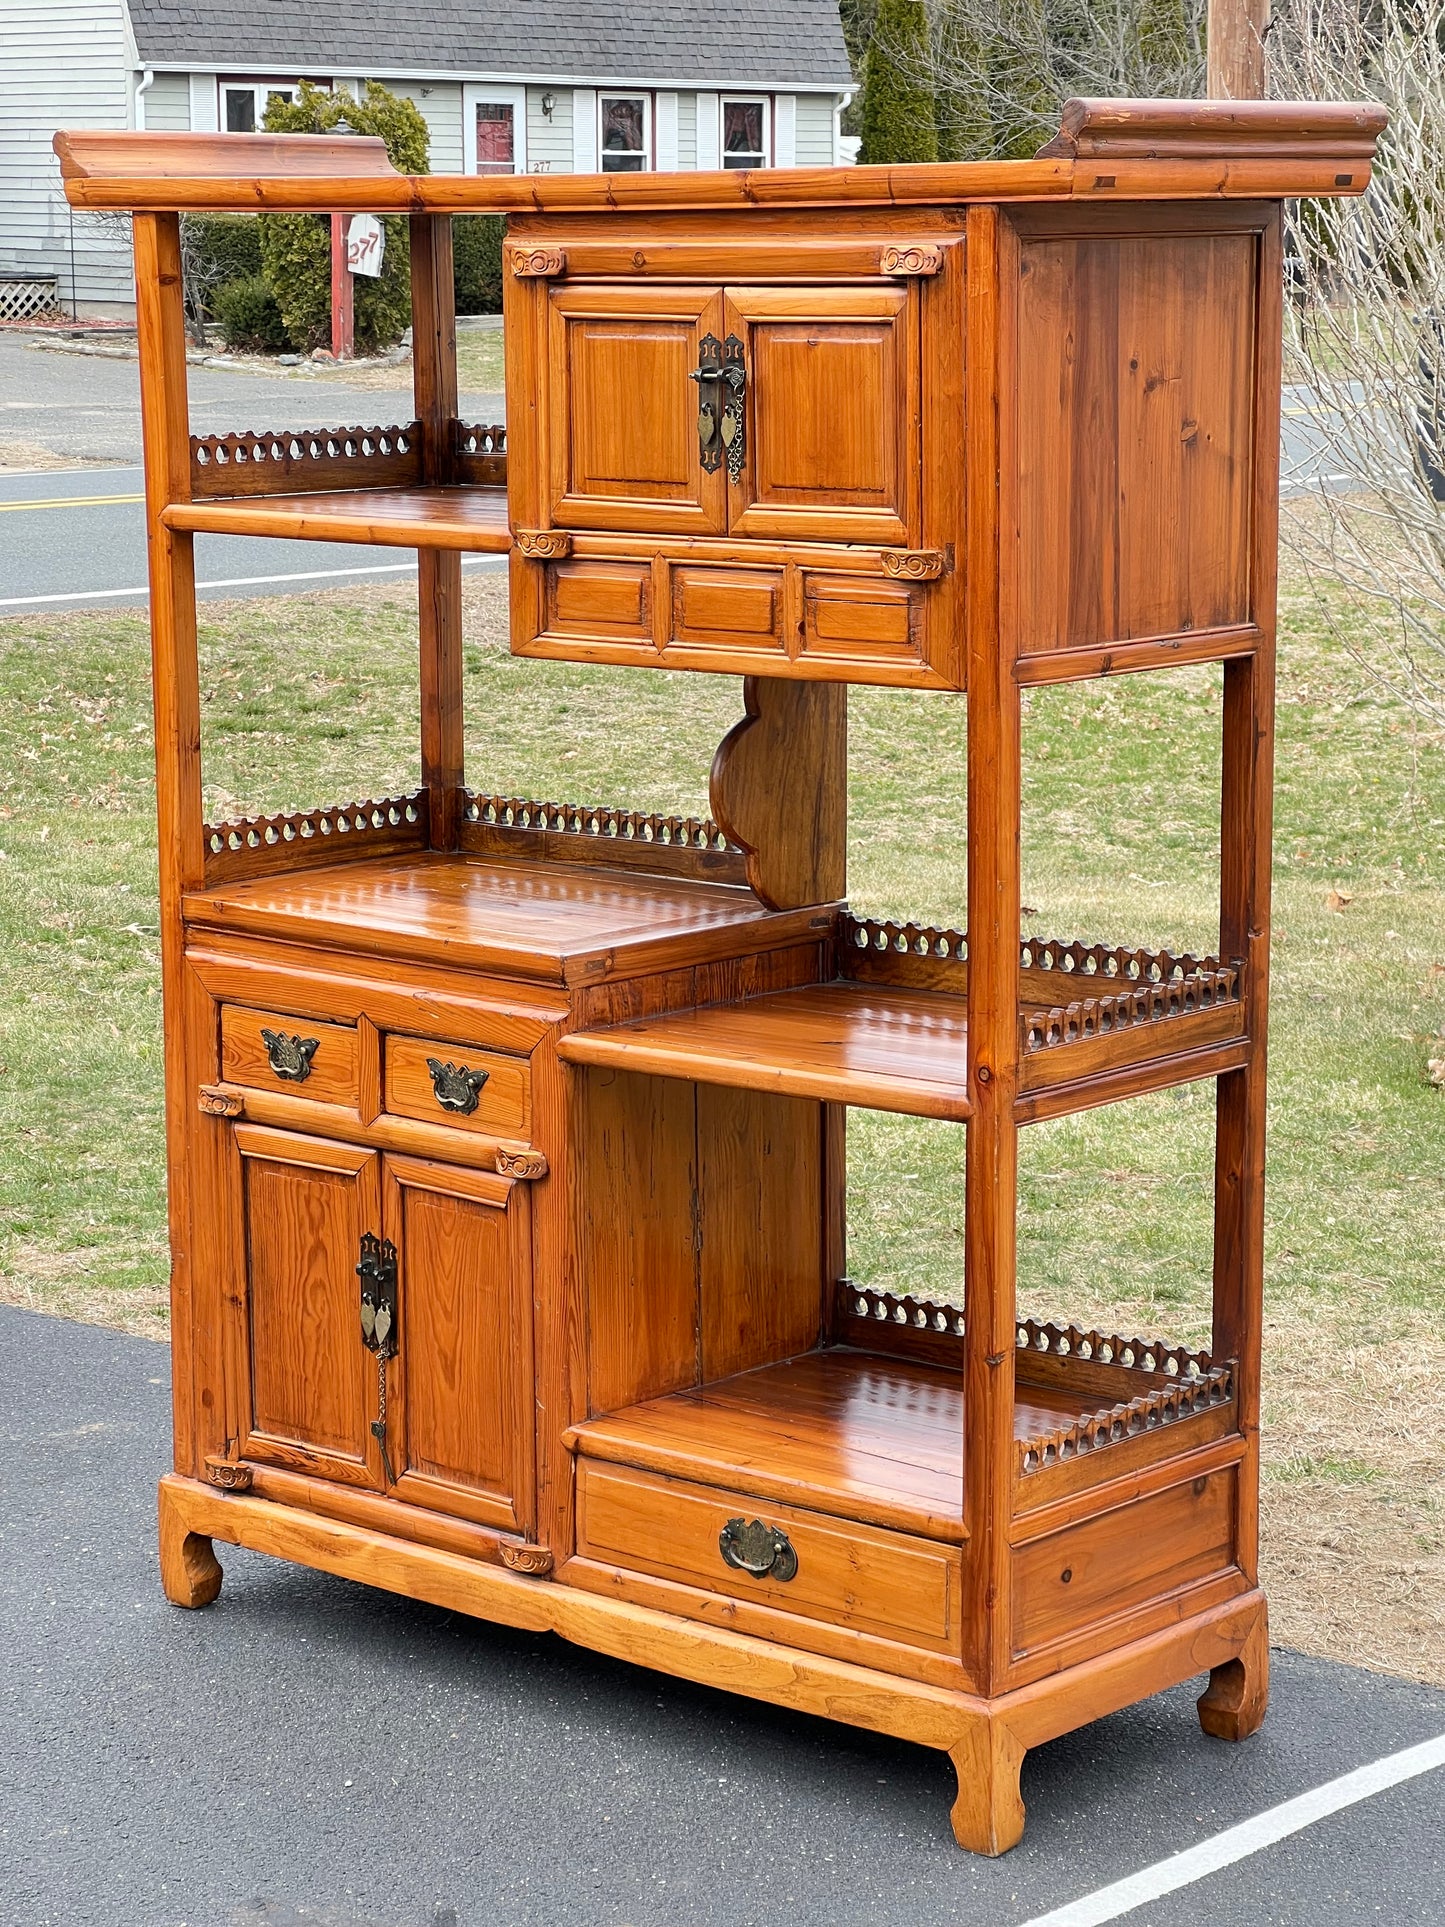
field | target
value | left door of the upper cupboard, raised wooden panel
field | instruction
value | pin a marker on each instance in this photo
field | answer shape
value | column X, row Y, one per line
column 623, row 411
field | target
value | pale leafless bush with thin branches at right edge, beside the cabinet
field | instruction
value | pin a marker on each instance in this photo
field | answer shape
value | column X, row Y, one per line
column 1365, row 329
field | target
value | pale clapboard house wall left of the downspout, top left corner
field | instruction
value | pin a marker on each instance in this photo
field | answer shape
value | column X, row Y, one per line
column 68, row 65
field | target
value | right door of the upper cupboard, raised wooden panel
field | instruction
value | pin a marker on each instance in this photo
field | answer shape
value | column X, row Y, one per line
column 833, row 413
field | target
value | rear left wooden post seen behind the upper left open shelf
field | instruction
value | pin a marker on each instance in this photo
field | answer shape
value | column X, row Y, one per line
column 440, row 571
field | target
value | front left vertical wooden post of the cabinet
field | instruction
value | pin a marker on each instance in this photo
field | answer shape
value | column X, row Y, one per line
column 176, row 695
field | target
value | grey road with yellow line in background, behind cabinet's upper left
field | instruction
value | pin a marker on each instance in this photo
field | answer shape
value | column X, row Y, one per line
column 76, row 537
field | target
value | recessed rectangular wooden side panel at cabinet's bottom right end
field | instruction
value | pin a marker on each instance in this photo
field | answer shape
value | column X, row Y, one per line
column 1126, row 1558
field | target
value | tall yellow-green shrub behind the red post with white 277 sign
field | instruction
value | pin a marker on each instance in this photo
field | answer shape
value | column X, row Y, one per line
column 298, row 248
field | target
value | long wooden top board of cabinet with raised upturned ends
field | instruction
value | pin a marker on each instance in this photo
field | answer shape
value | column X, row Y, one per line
column 1105, row 151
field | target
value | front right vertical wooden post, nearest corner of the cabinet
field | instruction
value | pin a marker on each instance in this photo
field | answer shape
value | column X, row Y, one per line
column 995, row 787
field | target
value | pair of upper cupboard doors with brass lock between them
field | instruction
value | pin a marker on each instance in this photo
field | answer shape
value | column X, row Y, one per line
column 758, row 413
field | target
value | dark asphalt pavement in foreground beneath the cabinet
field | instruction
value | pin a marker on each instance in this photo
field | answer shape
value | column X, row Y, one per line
column 315, row 1753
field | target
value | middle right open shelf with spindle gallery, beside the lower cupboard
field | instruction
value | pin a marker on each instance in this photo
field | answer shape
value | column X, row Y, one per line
column 891, row 1030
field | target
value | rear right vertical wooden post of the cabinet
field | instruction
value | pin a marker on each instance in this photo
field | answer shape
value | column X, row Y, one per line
column 1246, row 855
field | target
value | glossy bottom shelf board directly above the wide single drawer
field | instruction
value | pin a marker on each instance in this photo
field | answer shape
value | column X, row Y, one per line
column 843, row 1433
